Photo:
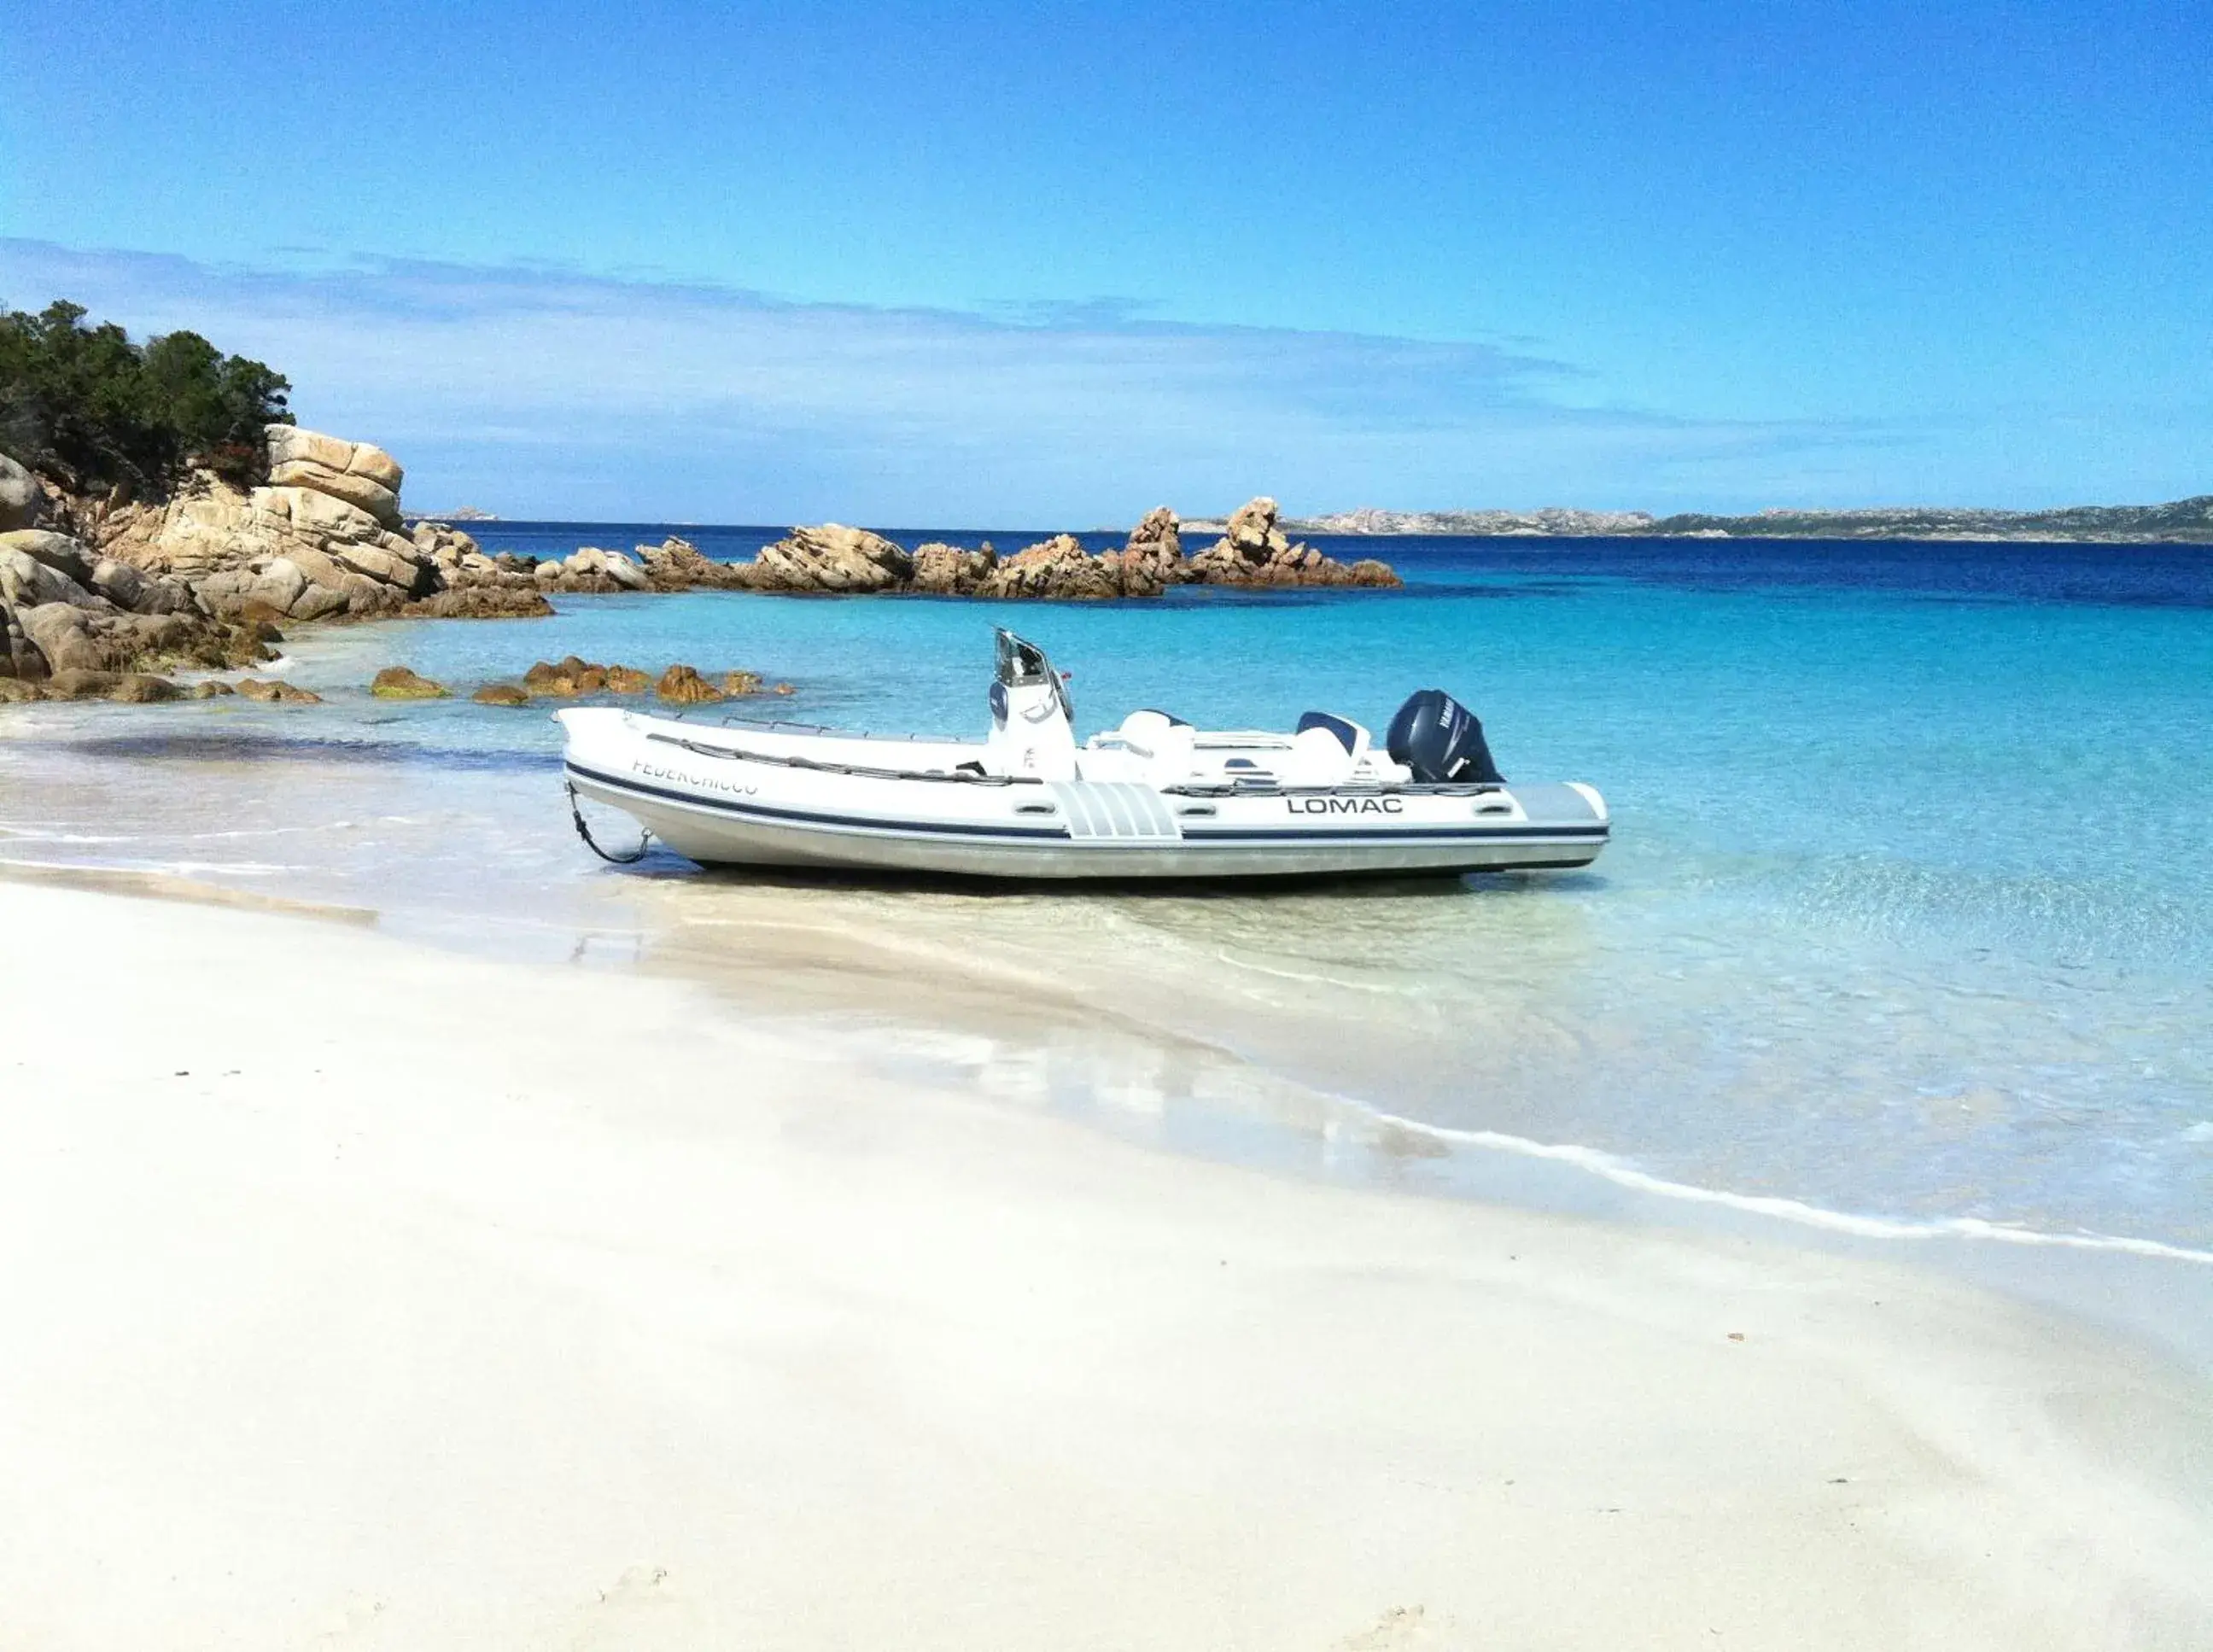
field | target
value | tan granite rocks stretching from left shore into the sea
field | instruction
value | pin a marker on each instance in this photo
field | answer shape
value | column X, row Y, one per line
column 207, row 574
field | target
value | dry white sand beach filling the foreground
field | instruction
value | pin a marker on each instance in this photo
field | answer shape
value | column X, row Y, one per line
column 373, row 1297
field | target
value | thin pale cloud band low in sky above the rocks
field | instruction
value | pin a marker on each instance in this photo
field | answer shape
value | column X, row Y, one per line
column 548, row 390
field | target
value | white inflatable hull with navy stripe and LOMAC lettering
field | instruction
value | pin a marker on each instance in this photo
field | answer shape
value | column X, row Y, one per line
column 765, row 799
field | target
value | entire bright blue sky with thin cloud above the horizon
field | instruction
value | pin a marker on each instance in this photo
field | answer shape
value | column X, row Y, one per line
column 1054, row 264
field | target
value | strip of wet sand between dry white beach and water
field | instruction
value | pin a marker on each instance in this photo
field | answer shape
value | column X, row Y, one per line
column 1170, row 1089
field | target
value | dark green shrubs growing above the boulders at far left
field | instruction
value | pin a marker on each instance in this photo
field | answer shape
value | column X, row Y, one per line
column 94, row 410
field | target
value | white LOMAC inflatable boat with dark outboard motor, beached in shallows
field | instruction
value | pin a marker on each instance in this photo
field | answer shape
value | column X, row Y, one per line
column 1150, row 799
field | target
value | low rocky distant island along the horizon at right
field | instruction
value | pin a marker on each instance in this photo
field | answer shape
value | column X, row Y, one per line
column 2183, row 521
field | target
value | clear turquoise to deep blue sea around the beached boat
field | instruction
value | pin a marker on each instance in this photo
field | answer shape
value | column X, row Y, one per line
column 1909, row 910
